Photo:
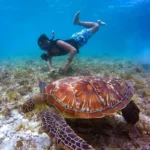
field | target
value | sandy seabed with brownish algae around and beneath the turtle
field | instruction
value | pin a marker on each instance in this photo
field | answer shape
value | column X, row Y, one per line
column 19, row 80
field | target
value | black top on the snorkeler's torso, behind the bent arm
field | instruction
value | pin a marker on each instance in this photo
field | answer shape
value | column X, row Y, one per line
column 61, row 51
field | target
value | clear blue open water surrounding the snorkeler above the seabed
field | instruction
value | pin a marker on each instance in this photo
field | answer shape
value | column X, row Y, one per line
column 127, row 34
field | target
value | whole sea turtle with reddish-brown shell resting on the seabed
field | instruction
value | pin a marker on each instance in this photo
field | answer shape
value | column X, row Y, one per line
column 81, row 97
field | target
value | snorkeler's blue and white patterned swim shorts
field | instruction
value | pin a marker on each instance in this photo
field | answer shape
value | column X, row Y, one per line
column 82, row 37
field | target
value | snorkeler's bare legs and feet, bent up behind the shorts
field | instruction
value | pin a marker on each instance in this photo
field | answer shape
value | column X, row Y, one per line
column 93, row 26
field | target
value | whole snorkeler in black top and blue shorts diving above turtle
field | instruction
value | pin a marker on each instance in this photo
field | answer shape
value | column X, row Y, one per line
column 71, row 46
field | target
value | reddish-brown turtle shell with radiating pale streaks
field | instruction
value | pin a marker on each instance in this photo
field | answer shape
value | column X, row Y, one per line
column 88, row 97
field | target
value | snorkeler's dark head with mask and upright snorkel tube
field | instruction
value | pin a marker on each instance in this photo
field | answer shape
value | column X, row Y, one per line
column 44, row 42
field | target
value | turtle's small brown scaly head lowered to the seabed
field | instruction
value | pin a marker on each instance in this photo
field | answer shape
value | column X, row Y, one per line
column 28, row 106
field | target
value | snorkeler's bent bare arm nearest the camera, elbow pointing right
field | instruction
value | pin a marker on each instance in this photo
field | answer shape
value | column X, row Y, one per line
column 71, row 50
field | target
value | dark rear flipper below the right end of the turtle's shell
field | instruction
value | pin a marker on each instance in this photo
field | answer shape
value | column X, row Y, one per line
column 131, row 113
